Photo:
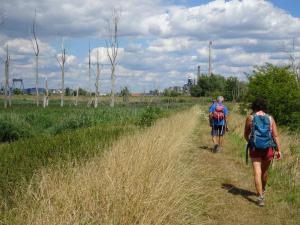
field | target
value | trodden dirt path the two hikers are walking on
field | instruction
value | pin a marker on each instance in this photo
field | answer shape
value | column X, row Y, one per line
column 230, row 190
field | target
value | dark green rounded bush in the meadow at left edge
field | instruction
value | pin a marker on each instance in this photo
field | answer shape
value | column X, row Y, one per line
column 12, row 128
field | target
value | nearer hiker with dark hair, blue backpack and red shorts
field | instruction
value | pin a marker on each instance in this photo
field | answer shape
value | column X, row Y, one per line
column 262, row 137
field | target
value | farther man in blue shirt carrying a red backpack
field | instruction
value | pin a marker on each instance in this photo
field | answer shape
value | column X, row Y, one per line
column 218, row 114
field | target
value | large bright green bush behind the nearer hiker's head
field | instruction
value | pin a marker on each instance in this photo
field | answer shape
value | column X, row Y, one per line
column 279, row 87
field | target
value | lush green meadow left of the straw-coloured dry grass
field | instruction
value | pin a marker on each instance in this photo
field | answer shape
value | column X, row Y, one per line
column 32, row 138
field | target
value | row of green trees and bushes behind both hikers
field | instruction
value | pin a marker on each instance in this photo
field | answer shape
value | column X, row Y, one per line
column 279, row 85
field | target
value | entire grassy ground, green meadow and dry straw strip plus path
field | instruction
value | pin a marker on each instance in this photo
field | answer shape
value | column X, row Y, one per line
column 138, row 163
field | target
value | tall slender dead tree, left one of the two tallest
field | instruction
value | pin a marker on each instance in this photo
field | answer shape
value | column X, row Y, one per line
column 36, row 50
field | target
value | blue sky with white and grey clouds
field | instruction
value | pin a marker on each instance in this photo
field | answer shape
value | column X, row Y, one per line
column 161, row 42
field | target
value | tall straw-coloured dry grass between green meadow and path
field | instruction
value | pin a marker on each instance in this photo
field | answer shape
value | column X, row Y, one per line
column 141, row 180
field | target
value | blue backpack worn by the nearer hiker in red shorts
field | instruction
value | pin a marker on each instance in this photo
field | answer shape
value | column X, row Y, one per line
column 261, row 135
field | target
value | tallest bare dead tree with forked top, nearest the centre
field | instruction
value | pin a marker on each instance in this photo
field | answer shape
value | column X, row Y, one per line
column 112, row 46
